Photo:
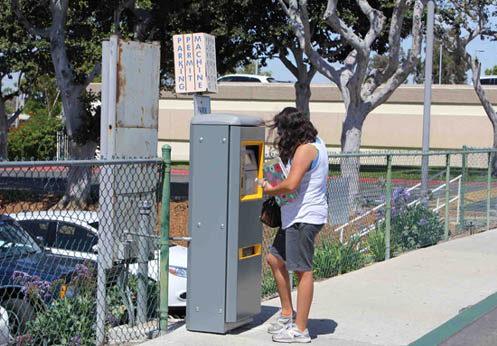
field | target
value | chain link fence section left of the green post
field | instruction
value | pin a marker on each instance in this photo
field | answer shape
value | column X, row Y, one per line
column 79, row 251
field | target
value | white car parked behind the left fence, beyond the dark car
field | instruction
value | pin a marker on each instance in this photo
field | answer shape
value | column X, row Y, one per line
column 75, row 233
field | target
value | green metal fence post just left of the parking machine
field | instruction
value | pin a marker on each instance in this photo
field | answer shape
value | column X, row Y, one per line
column 164, row 239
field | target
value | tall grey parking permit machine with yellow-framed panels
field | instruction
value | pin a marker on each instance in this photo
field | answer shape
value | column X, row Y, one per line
column 224, row 255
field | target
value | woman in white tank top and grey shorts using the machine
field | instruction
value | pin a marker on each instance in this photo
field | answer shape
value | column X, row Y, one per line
column 306, row 158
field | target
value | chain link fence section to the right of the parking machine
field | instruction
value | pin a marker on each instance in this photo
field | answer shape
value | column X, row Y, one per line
column 380, row 207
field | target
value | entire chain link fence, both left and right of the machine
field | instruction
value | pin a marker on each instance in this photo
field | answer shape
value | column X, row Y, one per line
column 79, row 250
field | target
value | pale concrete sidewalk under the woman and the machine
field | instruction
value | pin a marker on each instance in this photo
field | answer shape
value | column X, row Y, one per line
column 390, row 303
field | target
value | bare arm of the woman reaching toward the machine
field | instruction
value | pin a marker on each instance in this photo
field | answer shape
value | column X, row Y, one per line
column 304, row 155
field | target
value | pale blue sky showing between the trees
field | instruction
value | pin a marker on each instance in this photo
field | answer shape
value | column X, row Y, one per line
column 486, row 51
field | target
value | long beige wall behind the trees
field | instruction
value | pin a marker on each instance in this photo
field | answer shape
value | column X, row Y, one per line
column 457, row 118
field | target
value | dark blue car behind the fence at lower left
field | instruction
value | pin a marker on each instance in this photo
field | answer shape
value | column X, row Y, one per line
column 20, row 254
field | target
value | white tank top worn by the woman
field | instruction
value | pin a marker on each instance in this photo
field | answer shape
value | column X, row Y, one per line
column 311, row 205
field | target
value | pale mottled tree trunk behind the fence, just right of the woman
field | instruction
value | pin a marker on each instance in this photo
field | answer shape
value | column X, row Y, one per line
column 350, row 166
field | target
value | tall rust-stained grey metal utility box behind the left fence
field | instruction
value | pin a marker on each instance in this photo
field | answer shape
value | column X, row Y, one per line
column 128, row 128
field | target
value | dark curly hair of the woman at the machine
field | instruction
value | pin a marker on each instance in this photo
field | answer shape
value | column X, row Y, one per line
column 293, row 128
